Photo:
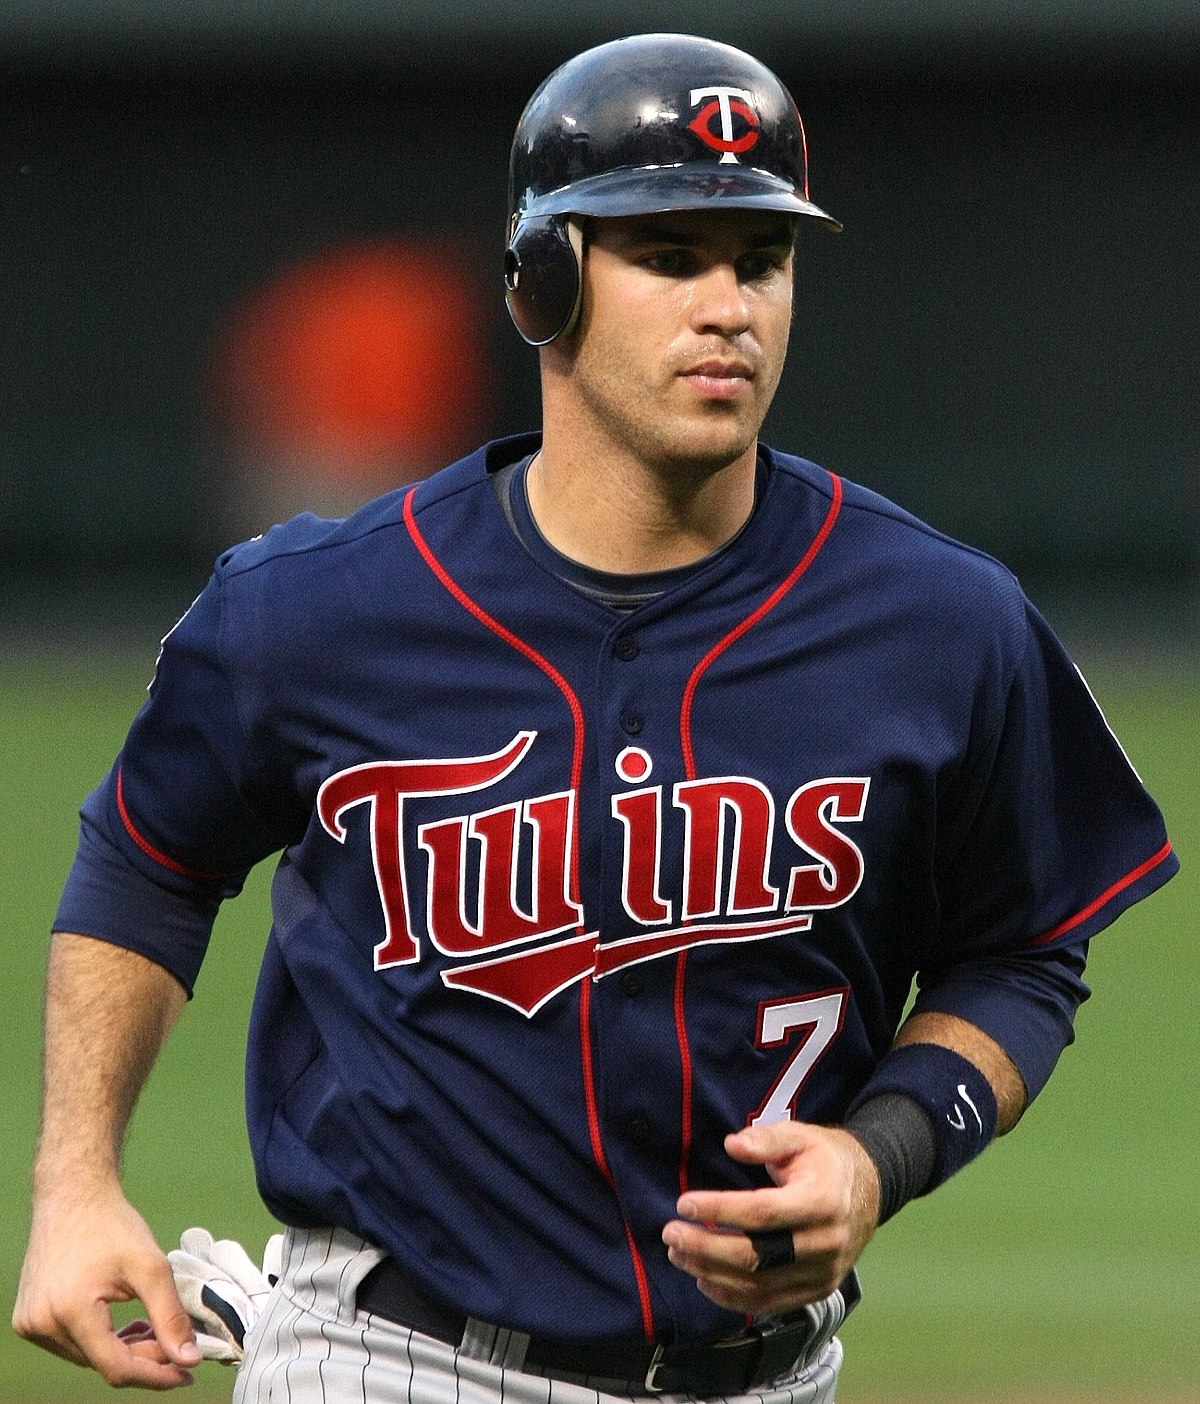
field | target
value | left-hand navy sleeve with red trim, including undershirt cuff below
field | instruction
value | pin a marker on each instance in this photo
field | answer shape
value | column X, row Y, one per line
column 186, row 811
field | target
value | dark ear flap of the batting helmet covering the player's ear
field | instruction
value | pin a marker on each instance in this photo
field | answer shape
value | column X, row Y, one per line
column 544, row 276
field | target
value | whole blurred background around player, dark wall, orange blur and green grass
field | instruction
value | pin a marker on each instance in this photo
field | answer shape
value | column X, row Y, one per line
column 251, row 260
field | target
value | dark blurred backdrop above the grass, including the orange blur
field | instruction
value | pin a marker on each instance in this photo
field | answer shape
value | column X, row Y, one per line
column 252, row 260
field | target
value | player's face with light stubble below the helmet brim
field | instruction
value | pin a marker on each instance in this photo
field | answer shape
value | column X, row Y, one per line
column 683, row 335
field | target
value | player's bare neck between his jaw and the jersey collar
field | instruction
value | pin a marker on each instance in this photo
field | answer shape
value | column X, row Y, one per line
column 627, row 517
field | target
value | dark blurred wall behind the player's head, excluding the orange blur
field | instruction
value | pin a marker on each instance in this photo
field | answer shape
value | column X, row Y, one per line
column 1004, row 338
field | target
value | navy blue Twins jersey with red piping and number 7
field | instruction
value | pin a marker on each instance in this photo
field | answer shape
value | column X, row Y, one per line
column 571, row 892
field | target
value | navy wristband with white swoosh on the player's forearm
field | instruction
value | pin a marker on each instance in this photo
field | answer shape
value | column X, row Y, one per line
column 954, row 1094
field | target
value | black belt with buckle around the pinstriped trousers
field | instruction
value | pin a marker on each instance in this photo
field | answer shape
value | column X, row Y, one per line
column 732, row 1367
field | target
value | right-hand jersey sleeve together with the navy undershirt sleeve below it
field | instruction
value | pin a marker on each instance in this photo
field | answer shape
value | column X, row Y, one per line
column 1048, row 837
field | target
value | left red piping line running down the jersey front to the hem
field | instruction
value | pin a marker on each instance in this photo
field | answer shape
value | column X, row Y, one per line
column 578, row 770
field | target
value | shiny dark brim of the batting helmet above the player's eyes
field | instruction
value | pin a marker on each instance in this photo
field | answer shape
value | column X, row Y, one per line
column 658, row 190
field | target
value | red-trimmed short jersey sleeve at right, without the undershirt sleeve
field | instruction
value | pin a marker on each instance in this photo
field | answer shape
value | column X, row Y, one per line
column 1048, row 836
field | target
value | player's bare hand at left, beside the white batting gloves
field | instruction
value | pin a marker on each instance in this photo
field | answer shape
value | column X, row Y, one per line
column 86, row 1252
